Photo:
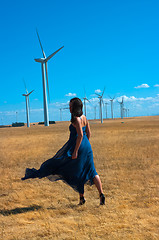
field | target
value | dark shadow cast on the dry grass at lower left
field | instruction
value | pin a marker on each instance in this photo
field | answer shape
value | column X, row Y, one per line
column 19, row 210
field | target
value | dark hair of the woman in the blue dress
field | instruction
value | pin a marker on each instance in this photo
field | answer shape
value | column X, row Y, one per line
column 77, row 106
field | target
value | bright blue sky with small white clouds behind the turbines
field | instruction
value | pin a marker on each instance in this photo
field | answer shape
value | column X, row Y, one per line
column 112, row 44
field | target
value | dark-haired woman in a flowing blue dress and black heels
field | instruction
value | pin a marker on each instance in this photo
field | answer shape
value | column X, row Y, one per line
column 73, row 163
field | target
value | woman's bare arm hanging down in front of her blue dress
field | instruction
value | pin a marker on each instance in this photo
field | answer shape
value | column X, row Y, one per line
column 79, row 137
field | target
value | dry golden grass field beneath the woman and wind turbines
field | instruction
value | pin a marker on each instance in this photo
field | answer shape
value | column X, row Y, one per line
column 126, row 157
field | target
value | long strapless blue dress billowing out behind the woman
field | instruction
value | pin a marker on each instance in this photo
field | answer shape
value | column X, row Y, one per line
column 74, row 172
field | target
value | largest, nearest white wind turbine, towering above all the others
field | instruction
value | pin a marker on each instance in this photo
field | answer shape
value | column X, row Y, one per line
column 43, row 62
